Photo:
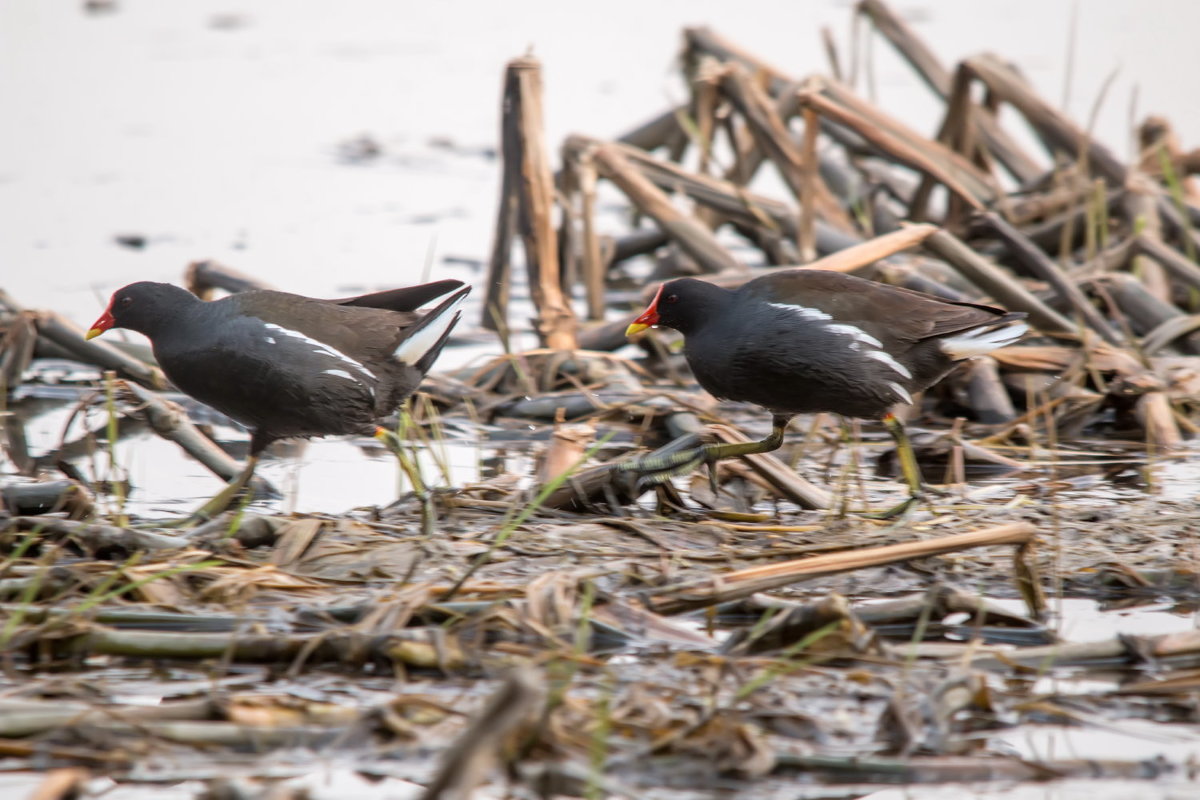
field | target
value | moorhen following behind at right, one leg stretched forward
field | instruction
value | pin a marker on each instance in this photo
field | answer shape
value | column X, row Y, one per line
column 805, row 341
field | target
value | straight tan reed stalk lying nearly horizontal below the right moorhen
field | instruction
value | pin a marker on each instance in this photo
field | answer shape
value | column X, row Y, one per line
column 742, row 584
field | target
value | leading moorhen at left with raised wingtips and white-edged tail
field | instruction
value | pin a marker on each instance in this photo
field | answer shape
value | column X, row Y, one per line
column 290, row 366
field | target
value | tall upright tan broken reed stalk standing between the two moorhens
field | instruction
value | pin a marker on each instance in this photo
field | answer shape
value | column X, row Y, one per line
column 524, row 139
